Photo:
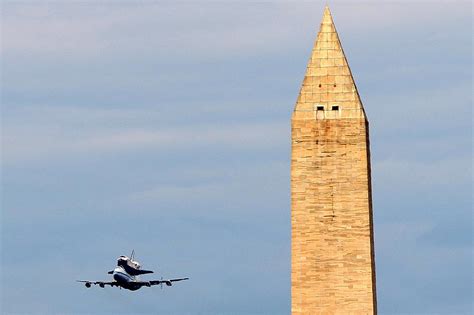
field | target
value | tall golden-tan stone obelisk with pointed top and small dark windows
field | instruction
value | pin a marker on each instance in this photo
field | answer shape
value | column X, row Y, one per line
column 332, row 249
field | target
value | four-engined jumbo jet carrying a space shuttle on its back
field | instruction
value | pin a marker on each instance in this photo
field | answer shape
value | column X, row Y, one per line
column 126, row 276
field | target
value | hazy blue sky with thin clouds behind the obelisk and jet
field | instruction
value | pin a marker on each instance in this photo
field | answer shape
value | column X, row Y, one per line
column 164, row 127
